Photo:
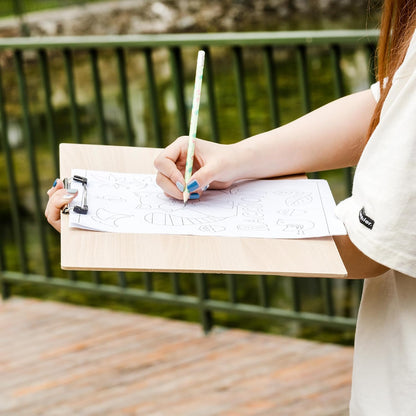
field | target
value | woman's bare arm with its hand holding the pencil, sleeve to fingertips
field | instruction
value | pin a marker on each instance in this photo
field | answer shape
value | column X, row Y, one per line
column 330, row 137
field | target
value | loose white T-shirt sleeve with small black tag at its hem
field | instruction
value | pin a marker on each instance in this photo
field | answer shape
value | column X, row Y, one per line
column 380, row 216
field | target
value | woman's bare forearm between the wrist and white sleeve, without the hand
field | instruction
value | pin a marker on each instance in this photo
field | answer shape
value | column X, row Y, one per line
column 330, row 137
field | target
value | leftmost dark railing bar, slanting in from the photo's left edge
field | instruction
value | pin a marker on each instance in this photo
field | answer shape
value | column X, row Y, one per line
column 14, row 205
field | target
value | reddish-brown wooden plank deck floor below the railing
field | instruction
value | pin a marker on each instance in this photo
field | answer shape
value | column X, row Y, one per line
column 59, row 359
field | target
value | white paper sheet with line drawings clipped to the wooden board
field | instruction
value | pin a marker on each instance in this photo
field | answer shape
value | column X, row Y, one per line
column 133, row 203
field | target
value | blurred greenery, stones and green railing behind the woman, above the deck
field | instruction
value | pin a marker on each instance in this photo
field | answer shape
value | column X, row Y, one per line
column 109, row 73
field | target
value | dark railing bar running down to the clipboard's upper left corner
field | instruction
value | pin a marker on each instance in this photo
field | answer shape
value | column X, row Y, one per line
column 44, row 69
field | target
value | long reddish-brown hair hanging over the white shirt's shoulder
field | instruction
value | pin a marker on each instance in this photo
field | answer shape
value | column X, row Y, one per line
column 397, row 27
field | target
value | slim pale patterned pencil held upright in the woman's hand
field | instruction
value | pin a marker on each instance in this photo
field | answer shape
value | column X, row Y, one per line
column 194, row 121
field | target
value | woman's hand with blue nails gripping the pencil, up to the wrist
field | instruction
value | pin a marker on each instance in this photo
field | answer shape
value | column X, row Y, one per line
column 214, row 166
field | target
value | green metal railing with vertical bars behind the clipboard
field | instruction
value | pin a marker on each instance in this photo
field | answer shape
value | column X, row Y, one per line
column 29, row 65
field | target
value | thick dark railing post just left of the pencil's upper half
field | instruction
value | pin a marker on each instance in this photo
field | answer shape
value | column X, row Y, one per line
column 178, row 87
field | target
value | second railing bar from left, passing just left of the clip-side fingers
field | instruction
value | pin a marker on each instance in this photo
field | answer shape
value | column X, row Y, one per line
column 18, row 58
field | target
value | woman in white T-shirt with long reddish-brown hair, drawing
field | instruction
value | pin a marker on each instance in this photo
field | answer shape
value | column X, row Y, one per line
column 375, row 129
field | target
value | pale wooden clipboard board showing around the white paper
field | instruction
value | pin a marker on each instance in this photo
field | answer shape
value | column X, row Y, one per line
column 88, row 250
